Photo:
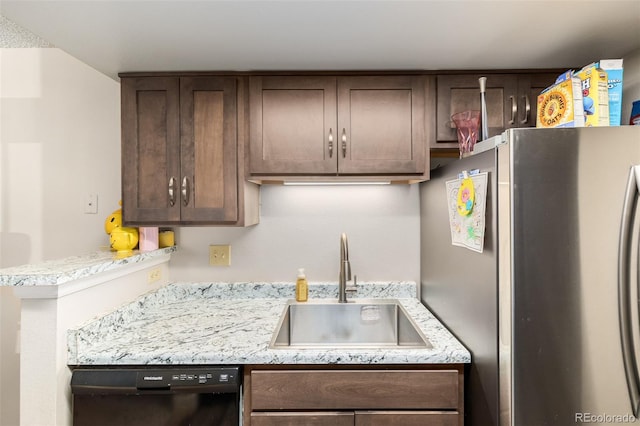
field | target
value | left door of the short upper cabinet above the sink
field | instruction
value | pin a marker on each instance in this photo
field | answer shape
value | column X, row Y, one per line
column 293, row 125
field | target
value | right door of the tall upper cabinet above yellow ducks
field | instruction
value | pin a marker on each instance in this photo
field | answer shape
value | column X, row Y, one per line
column 208, row 179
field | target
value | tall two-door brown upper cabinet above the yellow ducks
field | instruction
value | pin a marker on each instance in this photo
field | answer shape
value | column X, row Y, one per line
column 180, row 151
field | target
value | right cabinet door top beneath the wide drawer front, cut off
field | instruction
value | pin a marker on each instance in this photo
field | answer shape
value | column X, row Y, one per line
column 406, row 418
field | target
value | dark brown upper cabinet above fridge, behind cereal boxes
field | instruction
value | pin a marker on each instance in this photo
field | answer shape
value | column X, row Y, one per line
column 511, row 101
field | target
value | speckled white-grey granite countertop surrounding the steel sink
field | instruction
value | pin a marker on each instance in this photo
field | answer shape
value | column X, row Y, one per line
column 233, row 323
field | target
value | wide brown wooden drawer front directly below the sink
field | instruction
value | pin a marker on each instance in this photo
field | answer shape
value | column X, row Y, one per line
column 352, row 389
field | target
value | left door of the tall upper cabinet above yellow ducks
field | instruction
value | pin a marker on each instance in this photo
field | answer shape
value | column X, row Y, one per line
column 150, row 149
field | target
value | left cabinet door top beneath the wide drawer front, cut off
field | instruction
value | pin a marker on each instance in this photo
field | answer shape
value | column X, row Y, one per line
column 311, row 418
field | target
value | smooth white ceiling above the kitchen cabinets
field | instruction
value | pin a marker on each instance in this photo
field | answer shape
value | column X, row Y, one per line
column 240, row 35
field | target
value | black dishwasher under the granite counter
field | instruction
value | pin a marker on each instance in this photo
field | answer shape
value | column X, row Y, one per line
column 172, row 396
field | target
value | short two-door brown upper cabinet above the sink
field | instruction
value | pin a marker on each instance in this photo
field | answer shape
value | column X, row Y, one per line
column 337, row 126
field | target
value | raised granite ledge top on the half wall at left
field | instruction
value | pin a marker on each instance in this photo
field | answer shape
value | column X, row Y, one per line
column 60, row 271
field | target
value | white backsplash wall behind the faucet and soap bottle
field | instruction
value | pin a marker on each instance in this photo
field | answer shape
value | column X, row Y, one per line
column 300, row 227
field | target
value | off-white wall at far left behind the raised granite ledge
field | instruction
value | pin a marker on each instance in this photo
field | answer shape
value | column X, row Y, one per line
column 59, row 140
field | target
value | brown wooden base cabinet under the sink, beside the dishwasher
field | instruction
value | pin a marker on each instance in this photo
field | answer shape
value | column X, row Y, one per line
column 292, row 395
